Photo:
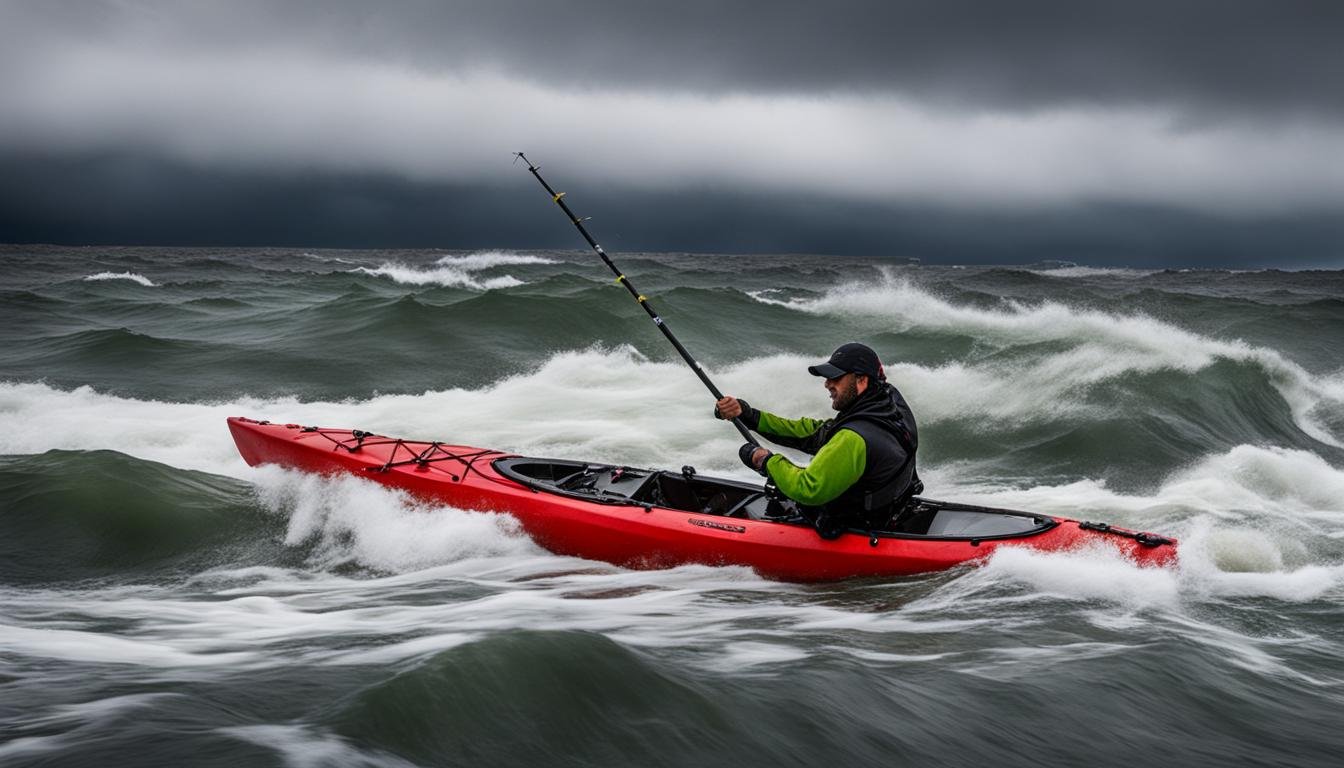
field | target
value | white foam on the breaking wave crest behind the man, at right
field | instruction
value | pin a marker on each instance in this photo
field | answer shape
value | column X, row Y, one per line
column 1097, row 348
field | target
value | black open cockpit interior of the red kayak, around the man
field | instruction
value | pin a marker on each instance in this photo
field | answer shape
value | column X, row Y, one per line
column 693, row 493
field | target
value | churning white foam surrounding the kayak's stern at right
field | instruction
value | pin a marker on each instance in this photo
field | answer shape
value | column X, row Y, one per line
column 1252, row 523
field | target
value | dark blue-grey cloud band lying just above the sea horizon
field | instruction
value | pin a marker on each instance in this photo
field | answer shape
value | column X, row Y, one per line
column 127, row 201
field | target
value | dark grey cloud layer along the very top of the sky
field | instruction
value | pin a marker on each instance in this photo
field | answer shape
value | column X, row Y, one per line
column 1226, row 56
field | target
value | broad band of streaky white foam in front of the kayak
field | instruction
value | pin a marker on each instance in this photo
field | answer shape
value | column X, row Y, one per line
column 283, row 618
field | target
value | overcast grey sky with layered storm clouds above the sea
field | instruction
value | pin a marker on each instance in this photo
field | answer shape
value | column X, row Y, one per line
column 1178, row 132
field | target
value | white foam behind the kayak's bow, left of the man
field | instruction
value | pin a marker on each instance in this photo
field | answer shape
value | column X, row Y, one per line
column 587, row 406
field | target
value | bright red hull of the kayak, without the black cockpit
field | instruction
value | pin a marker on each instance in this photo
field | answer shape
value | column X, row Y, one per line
column 642, row 535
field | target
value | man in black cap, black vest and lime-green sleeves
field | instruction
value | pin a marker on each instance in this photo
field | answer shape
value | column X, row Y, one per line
column 864, row 467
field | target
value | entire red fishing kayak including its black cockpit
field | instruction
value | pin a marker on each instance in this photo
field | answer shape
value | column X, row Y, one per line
column 647, row 519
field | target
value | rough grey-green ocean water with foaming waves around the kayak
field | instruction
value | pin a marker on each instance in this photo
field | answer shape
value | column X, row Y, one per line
column 165, row 605
